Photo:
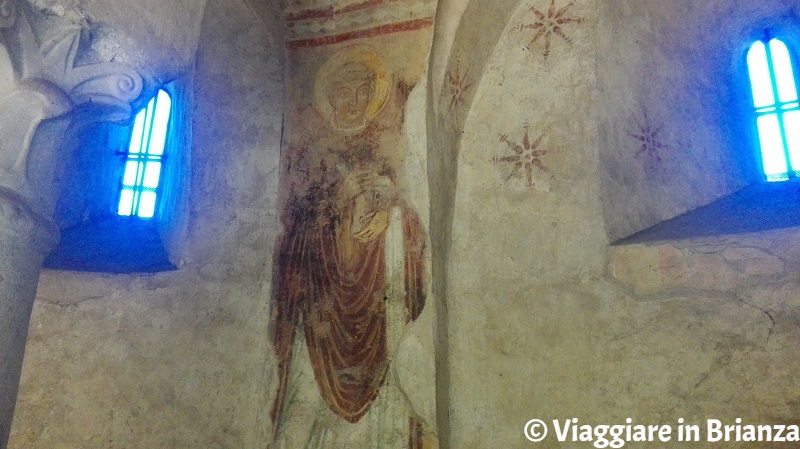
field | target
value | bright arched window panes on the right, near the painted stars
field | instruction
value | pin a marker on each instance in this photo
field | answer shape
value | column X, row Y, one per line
column 777, row 109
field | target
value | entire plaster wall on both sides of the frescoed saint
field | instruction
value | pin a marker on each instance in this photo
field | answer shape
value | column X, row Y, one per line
column 537, row 316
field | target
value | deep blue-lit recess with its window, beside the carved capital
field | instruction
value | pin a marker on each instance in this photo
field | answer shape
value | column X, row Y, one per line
column 125, row 189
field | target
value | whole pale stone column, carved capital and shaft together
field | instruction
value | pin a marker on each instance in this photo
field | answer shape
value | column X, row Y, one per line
column 43, row 96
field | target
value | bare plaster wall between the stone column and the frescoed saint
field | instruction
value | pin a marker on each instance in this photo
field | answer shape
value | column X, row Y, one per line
column 177, row 359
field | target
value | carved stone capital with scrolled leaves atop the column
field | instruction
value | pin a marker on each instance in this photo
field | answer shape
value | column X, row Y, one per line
column 49, row 88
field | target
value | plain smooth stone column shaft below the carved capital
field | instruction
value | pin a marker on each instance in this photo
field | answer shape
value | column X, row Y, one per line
column 25, row 239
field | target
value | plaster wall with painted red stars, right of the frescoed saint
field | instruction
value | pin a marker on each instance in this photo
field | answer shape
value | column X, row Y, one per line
column 544, row 320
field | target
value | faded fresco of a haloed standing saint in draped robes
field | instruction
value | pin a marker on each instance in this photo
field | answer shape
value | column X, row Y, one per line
column 351, row 264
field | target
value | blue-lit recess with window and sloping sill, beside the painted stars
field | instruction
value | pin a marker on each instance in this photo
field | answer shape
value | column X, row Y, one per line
column 772, row 110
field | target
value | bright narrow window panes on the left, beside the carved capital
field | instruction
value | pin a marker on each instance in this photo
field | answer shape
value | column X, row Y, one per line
column 144, row 159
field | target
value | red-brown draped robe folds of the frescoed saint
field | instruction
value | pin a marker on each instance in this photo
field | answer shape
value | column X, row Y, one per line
column 341, row 308
